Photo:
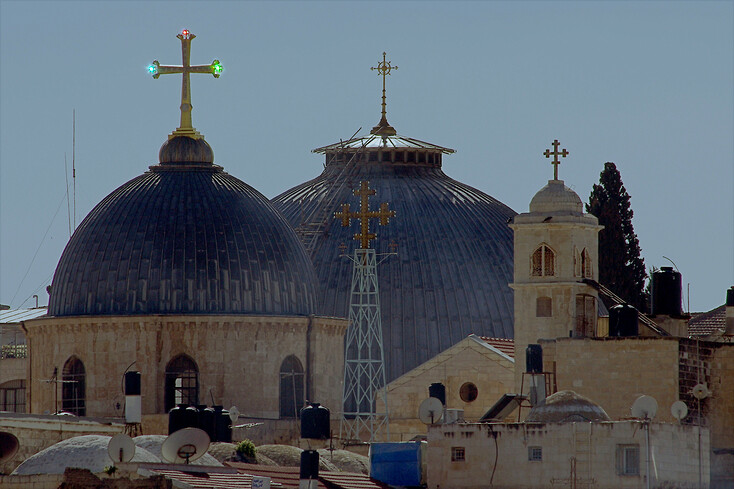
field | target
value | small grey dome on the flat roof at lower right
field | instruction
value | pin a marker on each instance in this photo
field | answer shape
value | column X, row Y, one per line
column 566, row 407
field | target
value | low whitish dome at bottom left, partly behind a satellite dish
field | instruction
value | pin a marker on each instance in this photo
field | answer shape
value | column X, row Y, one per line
column 84, row 452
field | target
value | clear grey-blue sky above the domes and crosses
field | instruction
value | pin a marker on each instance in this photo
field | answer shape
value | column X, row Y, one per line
column 646, row 85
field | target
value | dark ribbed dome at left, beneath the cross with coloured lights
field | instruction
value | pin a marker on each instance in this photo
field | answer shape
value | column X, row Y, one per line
column 184, row 238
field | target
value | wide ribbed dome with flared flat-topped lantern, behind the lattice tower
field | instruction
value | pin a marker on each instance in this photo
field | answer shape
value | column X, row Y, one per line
column 455, row 250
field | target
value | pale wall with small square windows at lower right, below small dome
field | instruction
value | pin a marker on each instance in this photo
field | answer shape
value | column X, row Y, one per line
column 497, row 455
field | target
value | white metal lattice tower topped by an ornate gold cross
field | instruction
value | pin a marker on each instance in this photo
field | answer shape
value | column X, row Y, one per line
column 364, row 400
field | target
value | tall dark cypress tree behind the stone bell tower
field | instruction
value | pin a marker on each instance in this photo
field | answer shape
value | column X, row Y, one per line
column 621, row 268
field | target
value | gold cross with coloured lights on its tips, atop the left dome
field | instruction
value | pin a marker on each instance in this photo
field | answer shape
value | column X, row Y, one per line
column 156, row 69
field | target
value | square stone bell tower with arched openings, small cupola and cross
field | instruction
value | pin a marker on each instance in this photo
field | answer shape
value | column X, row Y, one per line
column 555, row 249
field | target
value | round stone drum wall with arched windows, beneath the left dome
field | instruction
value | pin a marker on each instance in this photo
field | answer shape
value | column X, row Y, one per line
column 238, row 358
